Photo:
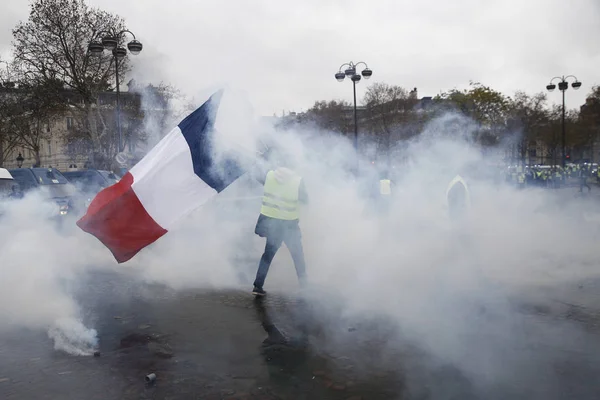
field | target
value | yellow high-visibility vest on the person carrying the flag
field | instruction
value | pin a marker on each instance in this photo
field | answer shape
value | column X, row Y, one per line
column 280, row 199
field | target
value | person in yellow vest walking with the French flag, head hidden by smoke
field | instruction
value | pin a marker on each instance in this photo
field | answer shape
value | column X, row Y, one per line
column 278, row 221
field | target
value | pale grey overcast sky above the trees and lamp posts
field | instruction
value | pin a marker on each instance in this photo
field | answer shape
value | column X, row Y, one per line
column 284, row 53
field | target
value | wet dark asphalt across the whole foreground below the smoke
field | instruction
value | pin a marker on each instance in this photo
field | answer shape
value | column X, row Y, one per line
column 227, row 345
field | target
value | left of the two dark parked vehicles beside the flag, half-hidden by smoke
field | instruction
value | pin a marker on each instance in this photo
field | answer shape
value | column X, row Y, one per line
column 51, row 183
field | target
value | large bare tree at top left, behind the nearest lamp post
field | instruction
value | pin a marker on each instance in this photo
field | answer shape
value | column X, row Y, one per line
column 52, row 45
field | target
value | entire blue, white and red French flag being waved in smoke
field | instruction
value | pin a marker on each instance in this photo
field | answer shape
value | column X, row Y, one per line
column 177, row 176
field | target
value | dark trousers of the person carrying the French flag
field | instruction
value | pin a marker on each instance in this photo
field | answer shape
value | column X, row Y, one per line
column 293, row 240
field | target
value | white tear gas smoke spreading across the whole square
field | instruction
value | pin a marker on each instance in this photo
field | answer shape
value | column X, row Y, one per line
column 428, row 277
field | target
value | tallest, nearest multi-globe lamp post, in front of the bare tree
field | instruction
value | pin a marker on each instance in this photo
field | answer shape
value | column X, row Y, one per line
column 110, row 40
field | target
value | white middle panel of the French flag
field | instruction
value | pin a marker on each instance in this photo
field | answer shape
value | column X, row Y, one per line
column 165, row 182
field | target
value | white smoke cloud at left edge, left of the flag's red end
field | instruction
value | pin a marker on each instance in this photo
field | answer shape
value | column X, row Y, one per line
column 39, row 266
